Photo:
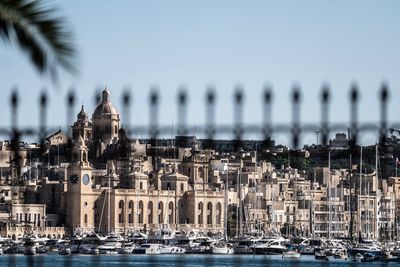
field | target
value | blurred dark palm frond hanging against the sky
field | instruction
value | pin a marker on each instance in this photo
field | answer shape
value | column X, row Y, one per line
column 32, row 26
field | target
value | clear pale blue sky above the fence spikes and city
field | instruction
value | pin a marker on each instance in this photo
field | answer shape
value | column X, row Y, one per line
column 222, row 43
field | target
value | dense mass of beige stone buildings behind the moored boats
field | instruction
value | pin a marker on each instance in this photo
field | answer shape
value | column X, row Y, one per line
column 96, row 178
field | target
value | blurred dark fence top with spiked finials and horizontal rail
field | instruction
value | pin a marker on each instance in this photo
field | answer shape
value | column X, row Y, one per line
column 265, row 128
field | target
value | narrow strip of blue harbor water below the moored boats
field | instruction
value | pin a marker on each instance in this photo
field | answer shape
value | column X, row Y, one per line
column 172, row 260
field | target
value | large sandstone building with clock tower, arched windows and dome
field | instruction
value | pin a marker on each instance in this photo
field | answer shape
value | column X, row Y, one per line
column 123, row 196
